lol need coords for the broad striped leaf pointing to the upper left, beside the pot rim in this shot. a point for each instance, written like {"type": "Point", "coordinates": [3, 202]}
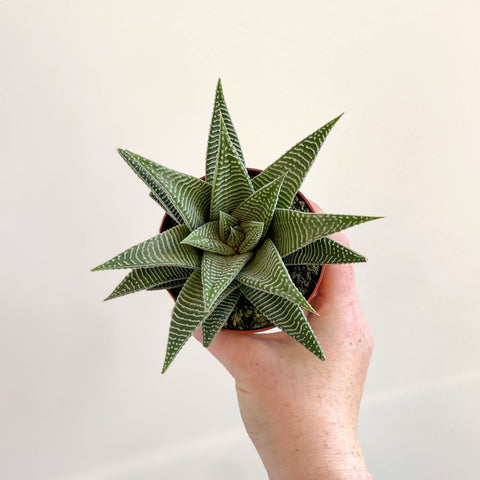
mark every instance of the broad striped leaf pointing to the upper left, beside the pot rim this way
{"type": "Point", "coordinates": [189, 195]}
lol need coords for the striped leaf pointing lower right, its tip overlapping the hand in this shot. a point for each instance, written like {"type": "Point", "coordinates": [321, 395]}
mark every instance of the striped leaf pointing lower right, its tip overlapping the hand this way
{"type": "Point", "coordinates": [285, 315]}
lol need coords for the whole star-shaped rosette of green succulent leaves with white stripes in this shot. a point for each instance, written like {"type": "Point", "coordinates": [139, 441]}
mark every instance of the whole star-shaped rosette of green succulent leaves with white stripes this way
{"type": "Point", "coordinates": [235, 235]}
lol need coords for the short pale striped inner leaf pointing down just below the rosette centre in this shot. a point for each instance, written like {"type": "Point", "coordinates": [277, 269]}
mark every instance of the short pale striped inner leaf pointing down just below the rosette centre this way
{"type": "Point", "coordinates": [218, 272]}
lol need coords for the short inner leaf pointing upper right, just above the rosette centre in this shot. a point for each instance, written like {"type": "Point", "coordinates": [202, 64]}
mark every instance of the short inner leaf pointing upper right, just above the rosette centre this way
{"type": "Point", "coordinates": [260, 206]}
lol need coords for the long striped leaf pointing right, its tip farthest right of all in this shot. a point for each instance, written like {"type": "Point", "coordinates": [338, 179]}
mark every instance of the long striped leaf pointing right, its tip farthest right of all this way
{"type": "Point", "coordinates": [291, 230]}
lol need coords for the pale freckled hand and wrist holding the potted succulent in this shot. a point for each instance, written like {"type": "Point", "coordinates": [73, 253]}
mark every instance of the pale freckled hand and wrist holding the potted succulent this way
{"type": "Point", "coordinates": [302, 413]}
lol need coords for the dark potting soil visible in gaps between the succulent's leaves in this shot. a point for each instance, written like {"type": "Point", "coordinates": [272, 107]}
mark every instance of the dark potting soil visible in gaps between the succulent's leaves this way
{"type": "Point", "coordinates": [245, 316]}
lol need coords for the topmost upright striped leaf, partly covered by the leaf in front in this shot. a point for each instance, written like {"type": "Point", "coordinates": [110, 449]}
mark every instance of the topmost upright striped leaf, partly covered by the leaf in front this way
{"type": "Point", "coordinates": [219, 109]}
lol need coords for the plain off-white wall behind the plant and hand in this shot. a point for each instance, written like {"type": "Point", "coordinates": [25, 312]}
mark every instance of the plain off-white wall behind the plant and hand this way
{"type": "Point", "coordinates": [82, 397]}
